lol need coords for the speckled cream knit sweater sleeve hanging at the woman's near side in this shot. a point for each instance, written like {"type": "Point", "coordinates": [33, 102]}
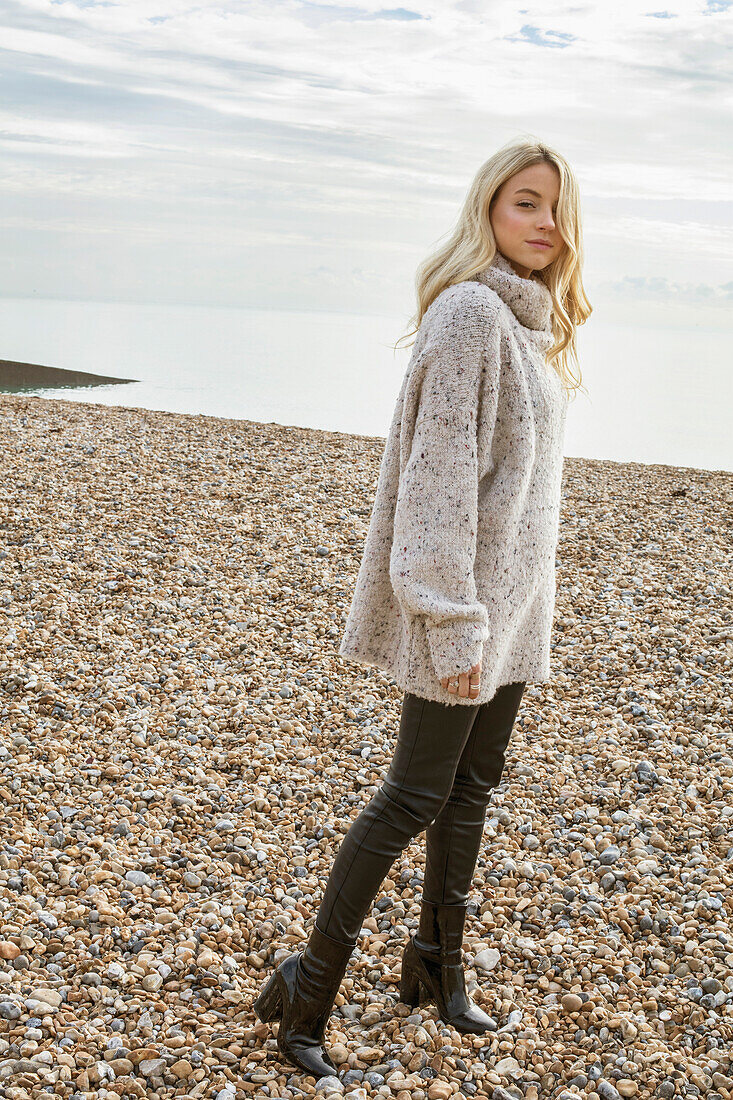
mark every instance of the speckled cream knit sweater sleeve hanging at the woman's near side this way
{"type": "Point", "coordinates": [436, 514]}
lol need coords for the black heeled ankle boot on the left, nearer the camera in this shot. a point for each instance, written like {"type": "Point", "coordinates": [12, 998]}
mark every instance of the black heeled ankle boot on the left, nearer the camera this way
{"type": "Point", "coordinates": [301, 995]}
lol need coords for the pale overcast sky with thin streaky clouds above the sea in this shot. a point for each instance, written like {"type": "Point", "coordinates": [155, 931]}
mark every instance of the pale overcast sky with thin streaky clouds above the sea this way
{"type": "Point", "coordinates": [309, 156]}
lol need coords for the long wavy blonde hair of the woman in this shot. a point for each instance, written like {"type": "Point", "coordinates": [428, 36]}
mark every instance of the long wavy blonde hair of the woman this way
{"type": "Point", "coordinates": [473, 247]}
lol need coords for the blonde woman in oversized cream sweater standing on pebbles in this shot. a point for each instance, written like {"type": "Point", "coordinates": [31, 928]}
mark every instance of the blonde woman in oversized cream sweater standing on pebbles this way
{"type": "Point", "coordinates": [456, 591]}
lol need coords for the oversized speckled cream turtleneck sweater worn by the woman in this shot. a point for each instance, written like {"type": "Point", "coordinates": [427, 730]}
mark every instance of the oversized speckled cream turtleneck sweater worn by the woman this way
{"type": "Point", "coordinates": [460, 558]}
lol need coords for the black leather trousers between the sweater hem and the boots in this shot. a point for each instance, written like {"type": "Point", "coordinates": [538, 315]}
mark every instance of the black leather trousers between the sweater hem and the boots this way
{"type": "Point", "coordinates": [447, 760]}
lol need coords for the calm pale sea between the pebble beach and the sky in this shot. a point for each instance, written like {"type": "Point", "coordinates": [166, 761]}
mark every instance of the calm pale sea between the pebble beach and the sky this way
{"type": "Point", "coordinates": [658, 392]}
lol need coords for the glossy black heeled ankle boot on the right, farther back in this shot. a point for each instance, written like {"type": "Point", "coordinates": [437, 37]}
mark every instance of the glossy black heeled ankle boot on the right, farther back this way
{"type": "Point", "coordinates": [433, 970]}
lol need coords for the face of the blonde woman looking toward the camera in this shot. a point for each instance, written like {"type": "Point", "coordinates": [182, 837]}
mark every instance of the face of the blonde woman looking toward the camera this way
{"type": "Point", "coordinates": [523, 213]}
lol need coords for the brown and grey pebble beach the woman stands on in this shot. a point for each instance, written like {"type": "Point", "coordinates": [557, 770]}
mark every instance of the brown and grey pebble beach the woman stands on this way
{"type": "Point", "coordinates": [182, 750]}
